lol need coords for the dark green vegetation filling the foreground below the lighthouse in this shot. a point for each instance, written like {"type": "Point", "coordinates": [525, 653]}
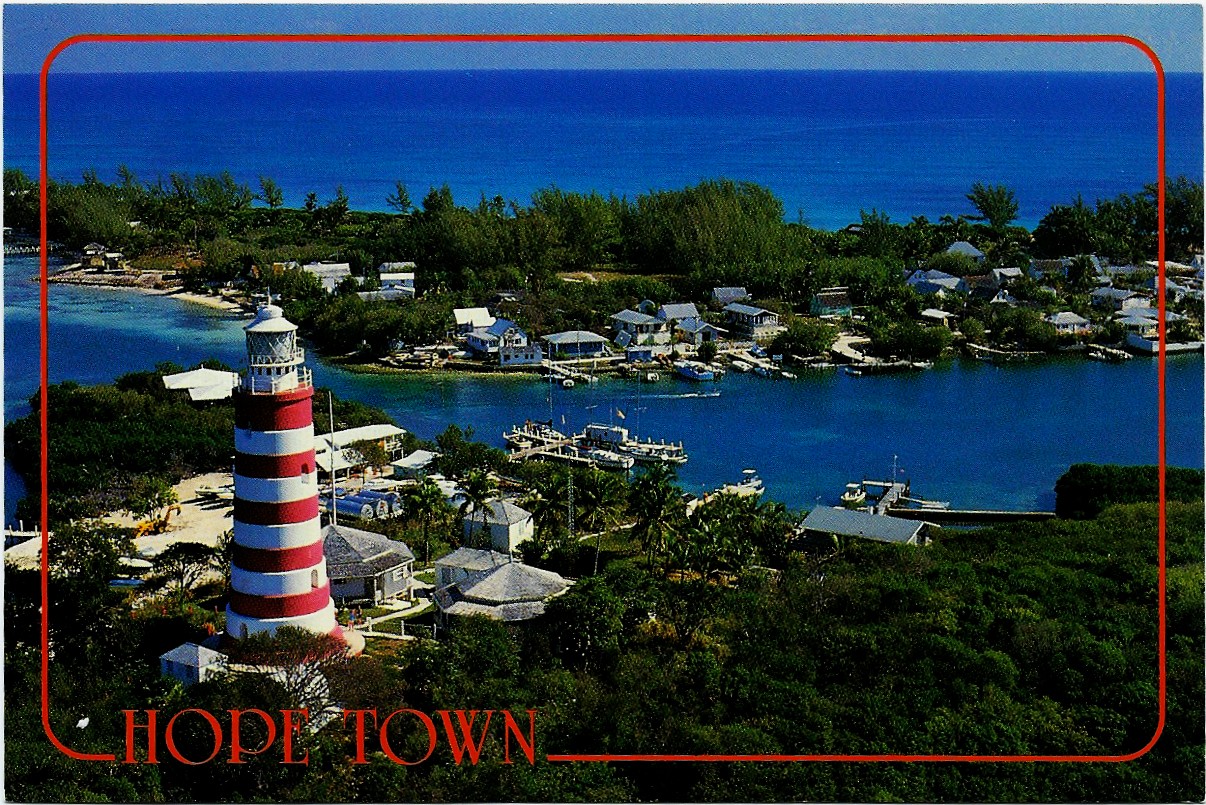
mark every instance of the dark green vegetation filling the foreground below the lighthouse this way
{"type": "Point", "coordinates": [1023, 639]}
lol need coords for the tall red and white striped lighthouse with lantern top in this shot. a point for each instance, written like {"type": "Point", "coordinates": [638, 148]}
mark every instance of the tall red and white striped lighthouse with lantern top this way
{"type": "Point", "coordinates": [278, 575]}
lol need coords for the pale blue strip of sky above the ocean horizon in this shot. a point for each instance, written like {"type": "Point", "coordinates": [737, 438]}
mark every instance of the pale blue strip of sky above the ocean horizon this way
{"type": "Point", "coordinates": [31, 31]}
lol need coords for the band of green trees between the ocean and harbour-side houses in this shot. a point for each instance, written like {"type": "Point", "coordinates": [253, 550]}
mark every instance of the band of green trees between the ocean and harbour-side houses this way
{"type": "Point", "coordinates": [665, 246]}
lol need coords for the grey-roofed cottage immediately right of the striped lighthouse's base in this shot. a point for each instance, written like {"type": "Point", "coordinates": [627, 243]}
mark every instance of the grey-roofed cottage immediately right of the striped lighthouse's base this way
{"type": "Point", "coordinates": [366, 567]}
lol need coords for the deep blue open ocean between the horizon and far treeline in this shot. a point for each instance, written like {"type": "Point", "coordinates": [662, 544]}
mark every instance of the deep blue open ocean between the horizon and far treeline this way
{"type": "Point", "coordinates": [829, 144]}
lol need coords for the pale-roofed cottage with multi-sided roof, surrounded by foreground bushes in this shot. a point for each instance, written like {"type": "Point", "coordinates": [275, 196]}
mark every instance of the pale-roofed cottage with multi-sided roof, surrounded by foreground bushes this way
{"type": "Point", "coordinates": [487, 584]}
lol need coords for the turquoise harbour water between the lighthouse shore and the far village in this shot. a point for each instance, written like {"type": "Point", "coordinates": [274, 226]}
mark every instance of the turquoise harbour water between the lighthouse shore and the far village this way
{"type": "Point", "coordinates": [967, 433]}
